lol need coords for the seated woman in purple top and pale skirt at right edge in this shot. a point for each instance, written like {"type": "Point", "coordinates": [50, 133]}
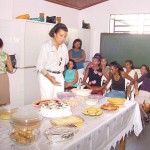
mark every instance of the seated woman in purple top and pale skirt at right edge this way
{"type": "Point", "coordinates": [143, 95]}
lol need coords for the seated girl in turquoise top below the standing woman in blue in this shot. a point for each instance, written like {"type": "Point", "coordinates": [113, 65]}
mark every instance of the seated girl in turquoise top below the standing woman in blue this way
{"type": "Point", "coordinates": [71, 76]}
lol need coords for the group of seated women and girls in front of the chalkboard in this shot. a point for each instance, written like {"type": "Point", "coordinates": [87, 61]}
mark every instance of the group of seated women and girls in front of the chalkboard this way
{"type": "Point", "coordinates": [123, 80]}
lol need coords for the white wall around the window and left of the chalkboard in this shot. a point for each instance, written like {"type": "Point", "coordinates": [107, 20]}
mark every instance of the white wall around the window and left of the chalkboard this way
{"type": "Point", "coordinates": [98, 15]}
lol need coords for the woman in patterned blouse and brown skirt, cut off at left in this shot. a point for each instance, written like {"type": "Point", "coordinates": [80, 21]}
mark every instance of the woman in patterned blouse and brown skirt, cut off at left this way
{"type": "Point", "coordinates": [5, 66]}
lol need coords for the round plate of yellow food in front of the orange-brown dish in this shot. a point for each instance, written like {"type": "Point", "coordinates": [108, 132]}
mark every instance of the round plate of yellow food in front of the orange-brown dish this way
{"type": "Point", "coordinates": [92, 111]}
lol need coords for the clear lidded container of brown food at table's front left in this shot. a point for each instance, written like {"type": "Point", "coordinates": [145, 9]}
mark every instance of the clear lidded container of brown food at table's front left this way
{"type": "Point", "coordinates": [25, 127]}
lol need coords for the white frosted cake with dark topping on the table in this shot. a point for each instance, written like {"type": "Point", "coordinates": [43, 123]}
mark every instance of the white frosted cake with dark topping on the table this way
{"type": "Point", "coordinates": [54, 109]}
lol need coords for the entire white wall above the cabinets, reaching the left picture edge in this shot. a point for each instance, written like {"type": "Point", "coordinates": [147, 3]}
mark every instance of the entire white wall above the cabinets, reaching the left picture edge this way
{"type": "Point", "coordinates": [9, 9]}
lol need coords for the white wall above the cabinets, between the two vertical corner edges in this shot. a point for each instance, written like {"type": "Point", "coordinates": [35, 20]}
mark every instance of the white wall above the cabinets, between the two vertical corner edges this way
{"type": "Point", "coordinates": [34, 7]}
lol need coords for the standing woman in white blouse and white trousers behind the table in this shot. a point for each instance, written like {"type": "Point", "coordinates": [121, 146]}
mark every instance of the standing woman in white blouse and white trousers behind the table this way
{"type": "Point", "coordinates": [51, 61]}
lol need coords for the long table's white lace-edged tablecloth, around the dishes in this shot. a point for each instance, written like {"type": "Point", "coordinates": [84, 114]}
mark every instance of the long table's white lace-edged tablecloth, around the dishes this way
{"type": "Point", "coordinates": [98, 132]}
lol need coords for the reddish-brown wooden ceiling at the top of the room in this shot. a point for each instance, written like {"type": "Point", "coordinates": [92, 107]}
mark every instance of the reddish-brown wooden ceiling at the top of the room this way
{"type": "Point", "coordinates": [77, 4]}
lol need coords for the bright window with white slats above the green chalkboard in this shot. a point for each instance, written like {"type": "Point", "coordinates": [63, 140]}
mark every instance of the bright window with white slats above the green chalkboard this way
{"type": "Point", "coordinates": [131, 23]}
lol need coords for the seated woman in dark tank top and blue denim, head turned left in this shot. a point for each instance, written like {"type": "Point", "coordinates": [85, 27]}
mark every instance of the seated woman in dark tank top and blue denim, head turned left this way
{"type": "Point", "coordinates": [118, 81]}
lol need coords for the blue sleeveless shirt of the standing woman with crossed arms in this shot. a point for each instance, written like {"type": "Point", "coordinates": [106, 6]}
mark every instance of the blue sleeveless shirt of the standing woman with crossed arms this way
{"type": "Point", "coordinates": [78, 54]}
